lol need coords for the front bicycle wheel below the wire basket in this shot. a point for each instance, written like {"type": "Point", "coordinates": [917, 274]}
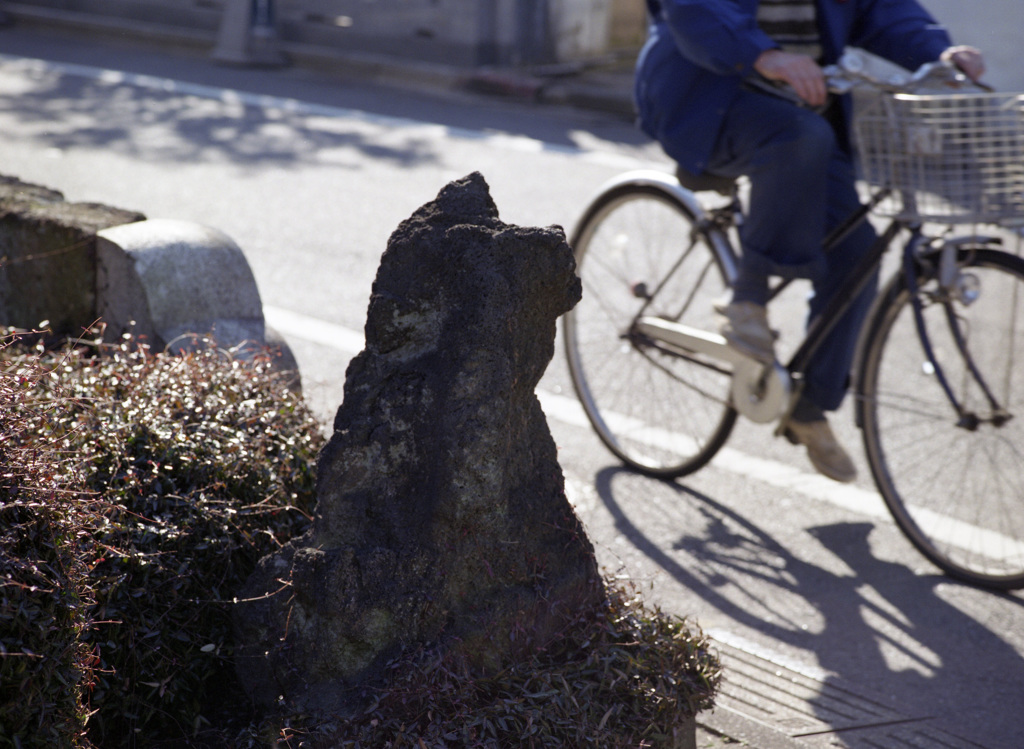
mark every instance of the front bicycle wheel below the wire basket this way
{"type": "Point", "coordinates": [956, 490]}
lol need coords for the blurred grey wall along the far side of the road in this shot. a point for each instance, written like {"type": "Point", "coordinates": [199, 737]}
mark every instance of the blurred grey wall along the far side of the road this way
{"type": "Point", "coordinates": [481, 33]}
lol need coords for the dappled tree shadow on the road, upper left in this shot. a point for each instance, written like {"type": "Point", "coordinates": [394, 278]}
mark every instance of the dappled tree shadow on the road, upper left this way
{"type": "Point", "coordinates": [148, 120]}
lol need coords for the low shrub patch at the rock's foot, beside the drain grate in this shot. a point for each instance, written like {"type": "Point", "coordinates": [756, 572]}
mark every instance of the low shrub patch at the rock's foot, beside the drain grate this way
{"type": "Point", "coordinates": [623, 677]}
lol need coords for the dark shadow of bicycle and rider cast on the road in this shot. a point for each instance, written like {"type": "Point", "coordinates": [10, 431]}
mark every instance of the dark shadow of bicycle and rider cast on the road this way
{"type": "Point", "coordinates": [868, 621]}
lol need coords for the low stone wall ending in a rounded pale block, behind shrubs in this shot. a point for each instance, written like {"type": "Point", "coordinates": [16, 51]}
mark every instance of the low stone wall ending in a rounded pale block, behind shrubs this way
{"type": "Point", "coordinates": [170, 283]}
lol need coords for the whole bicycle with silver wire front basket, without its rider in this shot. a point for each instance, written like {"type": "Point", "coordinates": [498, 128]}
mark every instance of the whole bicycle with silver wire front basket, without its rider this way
{"type": "Point", "coordinates": [936, 395]}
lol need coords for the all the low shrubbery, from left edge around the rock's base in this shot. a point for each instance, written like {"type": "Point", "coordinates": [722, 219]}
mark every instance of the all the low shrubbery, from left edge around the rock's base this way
{"type": "Point", "coordinates": [138, 493]}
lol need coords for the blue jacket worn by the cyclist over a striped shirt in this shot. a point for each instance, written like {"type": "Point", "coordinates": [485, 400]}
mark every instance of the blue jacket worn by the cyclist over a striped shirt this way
{"type": "Point", "coordinates": [699, 52]}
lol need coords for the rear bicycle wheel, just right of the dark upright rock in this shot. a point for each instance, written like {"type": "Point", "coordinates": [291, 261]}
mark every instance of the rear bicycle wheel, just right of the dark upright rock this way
{"type": "Point", "coordinates": [638, 254]}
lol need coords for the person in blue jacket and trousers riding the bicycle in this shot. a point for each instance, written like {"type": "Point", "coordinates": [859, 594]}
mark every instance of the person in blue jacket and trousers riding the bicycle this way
{"type": "Point", "coordinates": [695, 98]}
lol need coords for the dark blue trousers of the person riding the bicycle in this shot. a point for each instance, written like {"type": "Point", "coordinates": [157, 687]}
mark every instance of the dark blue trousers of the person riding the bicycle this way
{"type": "Point", "coordinates": [802, 185]}
